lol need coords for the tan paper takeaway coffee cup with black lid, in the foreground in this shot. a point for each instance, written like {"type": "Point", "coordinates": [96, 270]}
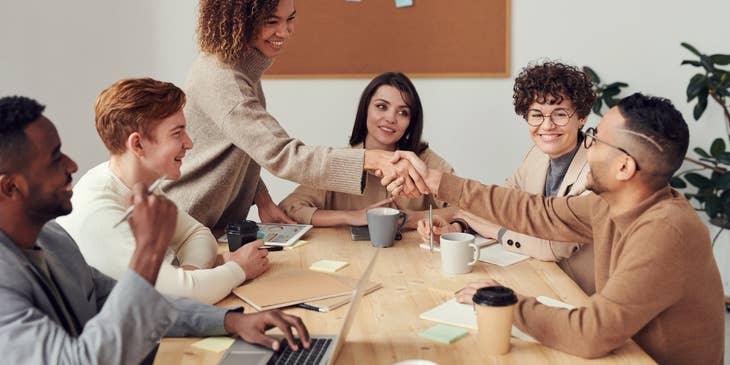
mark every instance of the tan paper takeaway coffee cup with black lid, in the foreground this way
{"type": "Point", "coordinates": [494, 305]}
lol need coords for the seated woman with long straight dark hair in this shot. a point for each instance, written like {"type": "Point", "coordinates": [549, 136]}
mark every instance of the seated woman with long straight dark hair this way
{"type": "Point", "coordinates": [389, 117]}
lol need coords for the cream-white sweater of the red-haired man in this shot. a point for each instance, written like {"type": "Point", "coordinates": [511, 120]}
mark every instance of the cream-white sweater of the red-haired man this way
{"type": "Point", "coordinates": [100, 200]}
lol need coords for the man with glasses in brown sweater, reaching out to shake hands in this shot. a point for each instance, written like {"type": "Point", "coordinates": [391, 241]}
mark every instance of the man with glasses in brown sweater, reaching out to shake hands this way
{"type": "Point", "coordinates": [656, 278]}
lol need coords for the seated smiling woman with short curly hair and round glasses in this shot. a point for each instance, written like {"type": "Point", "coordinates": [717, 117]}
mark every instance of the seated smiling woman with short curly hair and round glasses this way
{"type": "Point", "coordinates": [554, 100]}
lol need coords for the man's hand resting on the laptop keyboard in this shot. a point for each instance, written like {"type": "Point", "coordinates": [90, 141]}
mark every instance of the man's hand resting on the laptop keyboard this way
{"type": "Point", "coordinates": [252, 328]}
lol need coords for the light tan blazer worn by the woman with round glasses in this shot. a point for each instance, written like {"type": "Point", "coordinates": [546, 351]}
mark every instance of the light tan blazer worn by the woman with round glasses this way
{"type": "Point", "coordinates": [574, 258]}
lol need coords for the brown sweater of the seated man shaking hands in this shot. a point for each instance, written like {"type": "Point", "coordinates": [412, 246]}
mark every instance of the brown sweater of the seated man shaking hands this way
{"type": "Point", "coordinates": [656, 278]}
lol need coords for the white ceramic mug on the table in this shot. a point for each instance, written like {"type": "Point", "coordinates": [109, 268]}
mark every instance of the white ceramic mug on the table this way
{"type": "Point", "coordinates": [458, 253]}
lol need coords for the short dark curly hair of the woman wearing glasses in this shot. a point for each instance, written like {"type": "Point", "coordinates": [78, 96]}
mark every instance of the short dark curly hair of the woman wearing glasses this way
{"type": "Point", "coordinates": [550, 82]}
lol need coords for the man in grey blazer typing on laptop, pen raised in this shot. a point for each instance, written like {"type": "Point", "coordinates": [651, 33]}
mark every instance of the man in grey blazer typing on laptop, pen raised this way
{"type": "Point", "coordinates": [54, 308]}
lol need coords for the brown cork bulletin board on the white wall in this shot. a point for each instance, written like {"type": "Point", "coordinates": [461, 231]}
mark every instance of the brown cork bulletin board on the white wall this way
{"type": "Point", "coordinates": [432, 38]}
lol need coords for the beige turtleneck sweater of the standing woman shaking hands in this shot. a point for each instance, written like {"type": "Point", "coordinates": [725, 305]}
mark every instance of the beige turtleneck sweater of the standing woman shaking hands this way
{"type": "Point", "coordinates": [234, 136]}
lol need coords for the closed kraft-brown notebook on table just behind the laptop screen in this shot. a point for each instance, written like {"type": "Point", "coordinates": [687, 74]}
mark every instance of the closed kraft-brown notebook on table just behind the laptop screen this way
{"type": "Point", "coordinates": [292, 287]}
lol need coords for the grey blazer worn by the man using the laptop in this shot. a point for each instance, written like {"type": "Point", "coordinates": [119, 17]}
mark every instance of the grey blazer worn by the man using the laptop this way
{"type": "Point", "coordinates": [120, 321]}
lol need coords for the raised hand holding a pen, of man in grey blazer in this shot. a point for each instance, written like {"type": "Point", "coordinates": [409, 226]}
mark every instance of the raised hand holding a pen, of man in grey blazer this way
{"type": "Point", "coordinates": [153, 224]}
